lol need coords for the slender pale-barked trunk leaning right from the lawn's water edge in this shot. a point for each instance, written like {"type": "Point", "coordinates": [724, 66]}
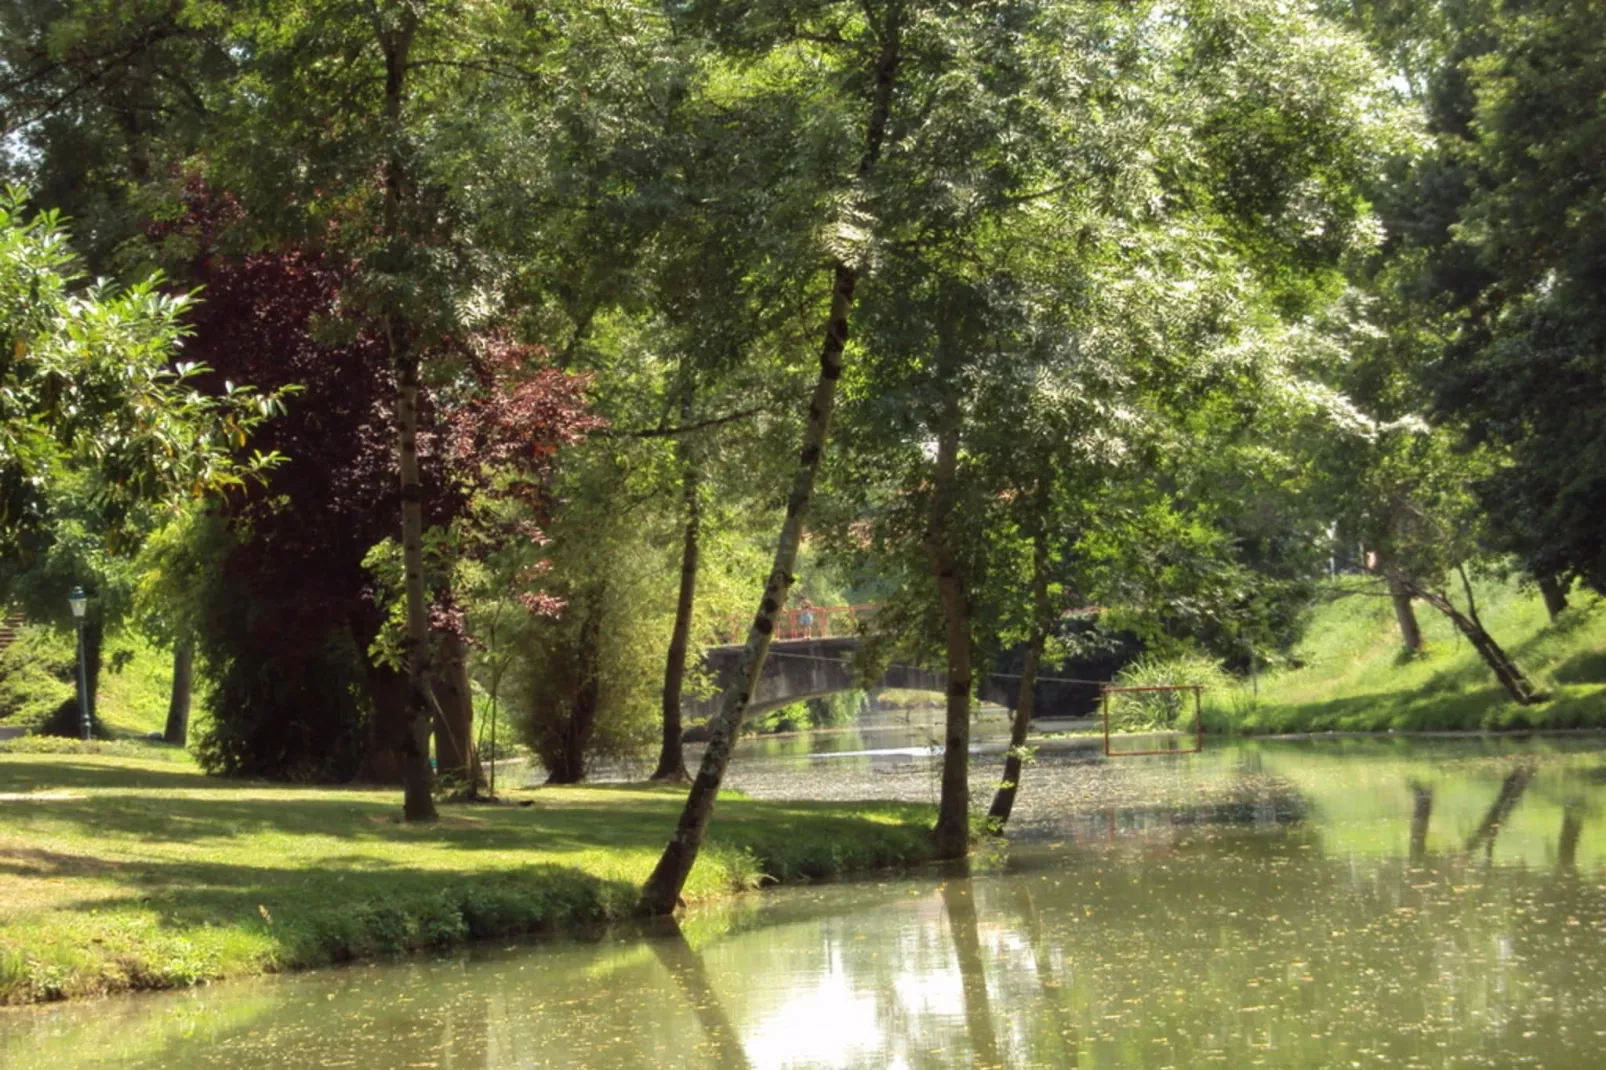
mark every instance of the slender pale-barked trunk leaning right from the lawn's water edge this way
{"type": "Point", "coordinates": [664, 888]}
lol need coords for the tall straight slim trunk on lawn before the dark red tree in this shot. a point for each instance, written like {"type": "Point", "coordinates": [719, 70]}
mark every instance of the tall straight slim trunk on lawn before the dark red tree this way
{"type": "Point", "coordinates": [418, 802]}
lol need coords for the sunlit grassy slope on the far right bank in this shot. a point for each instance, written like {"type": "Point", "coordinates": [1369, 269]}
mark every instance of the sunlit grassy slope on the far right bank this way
{"type": "Point", "coordinates": [1356, 680]}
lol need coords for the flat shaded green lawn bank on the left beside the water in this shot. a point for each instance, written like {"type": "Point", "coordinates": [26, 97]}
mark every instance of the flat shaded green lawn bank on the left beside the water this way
{"type": "Point", "coordinates": [124, 872]}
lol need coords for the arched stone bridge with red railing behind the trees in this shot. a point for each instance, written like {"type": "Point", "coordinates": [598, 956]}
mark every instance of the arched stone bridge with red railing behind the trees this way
{"type": "Point", "coordinates": [815, 668]}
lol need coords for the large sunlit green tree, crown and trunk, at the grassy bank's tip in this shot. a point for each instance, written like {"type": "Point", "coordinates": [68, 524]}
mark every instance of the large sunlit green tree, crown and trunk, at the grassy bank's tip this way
{"type": "Point", "coordinates": [1083, 285]}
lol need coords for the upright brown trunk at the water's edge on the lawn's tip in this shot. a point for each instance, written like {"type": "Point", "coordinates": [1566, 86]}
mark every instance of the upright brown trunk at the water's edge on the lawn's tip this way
{"type": "Point", "coordinates": [953, 814]}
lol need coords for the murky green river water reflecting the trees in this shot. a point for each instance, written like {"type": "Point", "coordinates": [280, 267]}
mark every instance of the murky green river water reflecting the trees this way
{"type": "Point", "coordinates": [1339, 904]}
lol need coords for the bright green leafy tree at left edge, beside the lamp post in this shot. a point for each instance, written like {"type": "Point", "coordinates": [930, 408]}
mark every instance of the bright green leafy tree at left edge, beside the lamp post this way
{"type": "Point", "coordinates": [102, 428]}
